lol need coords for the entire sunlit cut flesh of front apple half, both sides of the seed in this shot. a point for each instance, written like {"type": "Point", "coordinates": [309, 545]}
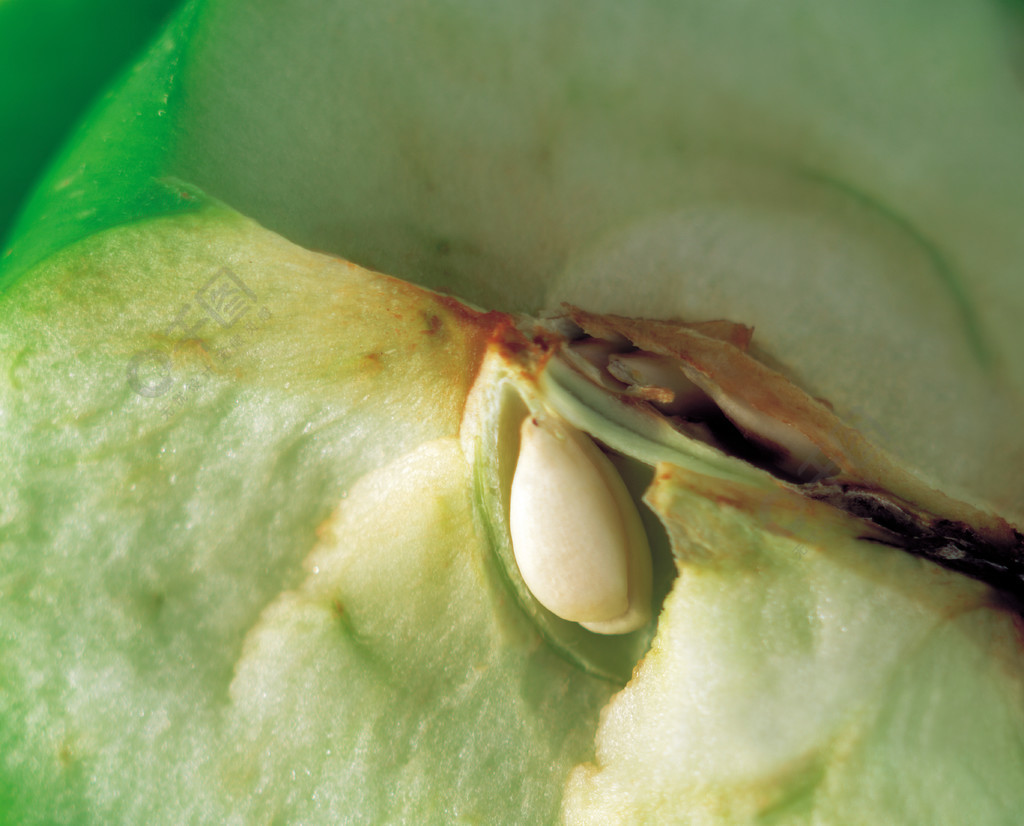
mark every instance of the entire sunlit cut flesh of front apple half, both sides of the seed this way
{"type": "Point", "coordinates": [269, 580]}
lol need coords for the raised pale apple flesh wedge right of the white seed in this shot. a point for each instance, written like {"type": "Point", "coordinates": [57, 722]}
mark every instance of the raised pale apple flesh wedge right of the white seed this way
{"type": "Point", "coordinates": [807, 678]}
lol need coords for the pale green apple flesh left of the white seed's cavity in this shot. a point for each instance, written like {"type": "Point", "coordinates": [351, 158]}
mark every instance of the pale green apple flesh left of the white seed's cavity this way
{"type": "Point", "coordinates": [276, 577]}
